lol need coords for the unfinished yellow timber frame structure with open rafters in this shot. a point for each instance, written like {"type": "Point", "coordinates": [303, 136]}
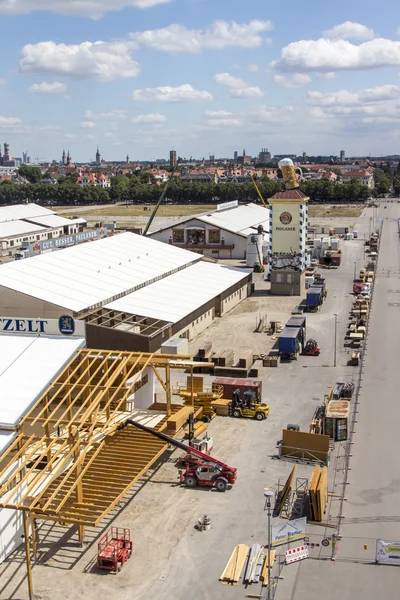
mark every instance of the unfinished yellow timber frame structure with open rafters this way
{"type": "Point", "coordinates": [69, 463]}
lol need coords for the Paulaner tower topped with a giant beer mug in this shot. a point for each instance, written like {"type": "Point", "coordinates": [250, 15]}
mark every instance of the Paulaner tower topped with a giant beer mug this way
{"type": "Point", "coordinates": [288, 256]}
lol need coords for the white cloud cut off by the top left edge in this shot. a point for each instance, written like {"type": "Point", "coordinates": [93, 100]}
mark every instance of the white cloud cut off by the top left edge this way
{"type": "Point", "coordinates": [89, 8]}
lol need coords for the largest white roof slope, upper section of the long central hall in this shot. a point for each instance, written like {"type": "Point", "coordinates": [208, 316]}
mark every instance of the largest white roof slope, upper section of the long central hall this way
{"type": "Point", "coordinates": [88, 275]}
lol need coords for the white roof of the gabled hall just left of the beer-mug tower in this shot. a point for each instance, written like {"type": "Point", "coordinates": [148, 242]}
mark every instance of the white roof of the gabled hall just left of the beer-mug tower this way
{"type": "Point", "coordinates": [239, 219]}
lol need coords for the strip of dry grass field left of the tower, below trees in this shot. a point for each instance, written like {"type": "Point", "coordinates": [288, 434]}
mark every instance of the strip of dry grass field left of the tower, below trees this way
{"type": "Point", "coordinates": [140, 210]}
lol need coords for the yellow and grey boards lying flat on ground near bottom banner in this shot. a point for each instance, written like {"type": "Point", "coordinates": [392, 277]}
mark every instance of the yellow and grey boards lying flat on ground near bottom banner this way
{"type": "Point", "coordinates": [256, 565]}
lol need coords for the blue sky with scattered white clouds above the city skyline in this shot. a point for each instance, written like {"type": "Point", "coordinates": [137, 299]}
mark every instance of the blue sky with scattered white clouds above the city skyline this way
{"type": "Point", "coordinates": [200, 76]}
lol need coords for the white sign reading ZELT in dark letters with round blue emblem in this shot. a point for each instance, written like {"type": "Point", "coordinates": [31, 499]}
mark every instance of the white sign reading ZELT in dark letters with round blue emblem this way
{"type": "Point", "coordinates": [66, 325]}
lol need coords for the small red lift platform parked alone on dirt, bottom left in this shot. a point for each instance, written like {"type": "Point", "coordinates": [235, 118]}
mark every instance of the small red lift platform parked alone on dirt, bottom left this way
{"type": "Point", "coordinates": [114, 548]}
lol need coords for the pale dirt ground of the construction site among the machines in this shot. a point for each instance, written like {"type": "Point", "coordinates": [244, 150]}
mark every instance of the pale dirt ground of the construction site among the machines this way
{"type": "Point", "coordinates": [171, 559]}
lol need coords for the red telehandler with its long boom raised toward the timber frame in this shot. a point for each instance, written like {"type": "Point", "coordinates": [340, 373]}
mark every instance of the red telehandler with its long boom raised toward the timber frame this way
{"type": "Point", "coordinates": [209, 472]}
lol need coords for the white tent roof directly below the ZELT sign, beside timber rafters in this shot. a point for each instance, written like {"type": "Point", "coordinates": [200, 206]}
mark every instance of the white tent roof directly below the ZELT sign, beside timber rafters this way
{"type": "Point", "coordinates": [27, 365]}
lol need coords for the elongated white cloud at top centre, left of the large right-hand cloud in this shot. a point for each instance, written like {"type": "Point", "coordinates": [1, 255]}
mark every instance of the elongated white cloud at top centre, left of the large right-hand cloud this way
{"type": "Point", "coordinates": [220, 35]}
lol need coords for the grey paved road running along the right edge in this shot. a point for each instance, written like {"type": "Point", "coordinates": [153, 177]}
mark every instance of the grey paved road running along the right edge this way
{"type": "Point", "coordinates": [372, 509]}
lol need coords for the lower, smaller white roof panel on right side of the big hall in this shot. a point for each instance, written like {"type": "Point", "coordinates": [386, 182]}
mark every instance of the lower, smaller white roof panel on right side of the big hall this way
{"type": "Point", "coordinates": [174, 297]}
